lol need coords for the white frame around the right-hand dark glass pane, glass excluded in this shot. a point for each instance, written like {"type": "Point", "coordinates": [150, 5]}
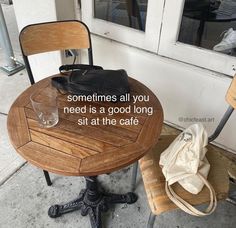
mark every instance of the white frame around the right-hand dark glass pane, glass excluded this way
{"type": "Point", "coordinates": [170, 46]}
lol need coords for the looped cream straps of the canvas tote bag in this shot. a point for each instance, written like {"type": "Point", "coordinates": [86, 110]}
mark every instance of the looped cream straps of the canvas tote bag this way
{"type": "Point", "coordinates": [188, 208]}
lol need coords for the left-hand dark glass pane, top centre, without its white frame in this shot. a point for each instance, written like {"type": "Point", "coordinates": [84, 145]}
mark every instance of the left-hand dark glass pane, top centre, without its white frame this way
{"type": "Point", "coordinates": [131, 13]}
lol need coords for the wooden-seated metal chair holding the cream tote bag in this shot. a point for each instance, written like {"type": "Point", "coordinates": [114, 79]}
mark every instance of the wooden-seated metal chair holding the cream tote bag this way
{"type": "Point", "coordinates": [221, 167]}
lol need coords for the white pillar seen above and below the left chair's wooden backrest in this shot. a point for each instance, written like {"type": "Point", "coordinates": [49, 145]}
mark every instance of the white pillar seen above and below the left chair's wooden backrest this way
{"type": "Point", "coordinates": [37, 11]}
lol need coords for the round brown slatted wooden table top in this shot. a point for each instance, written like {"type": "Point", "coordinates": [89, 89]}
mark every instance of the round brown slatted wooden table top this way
{"type": "Point", "coordinates": [74, 150]}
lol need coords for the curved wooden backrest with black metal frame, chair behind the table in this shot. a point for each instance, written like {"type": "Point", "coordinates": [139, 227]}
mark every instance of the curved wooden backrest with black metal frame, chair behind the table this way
{"type": "Point", "coordinates": [54, 36]}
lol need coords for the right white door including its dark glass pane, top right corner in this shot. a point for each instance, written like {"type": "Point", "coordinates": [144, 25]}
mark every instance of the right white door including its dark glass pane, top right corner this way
{"type": "Point", "coordinates": [192, 29]}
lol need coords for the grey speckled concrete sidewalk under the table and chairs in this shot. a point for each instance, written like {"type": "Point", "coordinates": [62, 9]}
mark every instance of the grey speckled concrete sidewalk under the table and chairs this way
{"type": "Point", "coordinates": [25, 197]}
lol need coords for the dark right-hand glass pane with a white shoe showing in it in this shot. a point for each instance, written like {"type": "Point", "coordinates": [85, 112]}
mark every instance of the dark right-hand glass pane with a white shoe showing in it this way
{"type": "Point", "coordinates": [210, 24]}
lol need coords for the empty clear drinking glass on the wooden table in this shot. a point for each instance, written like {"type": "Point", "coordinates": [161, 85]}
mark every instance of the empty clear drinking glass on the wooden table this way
{"type": "Point", "coordinates": [45, 106]}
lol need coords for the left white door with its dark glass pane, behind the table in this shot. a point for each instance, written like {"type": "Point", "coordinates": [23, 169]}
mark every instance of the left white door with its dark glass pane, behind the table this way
{"type": "Point", "coordinates": [133, 22]}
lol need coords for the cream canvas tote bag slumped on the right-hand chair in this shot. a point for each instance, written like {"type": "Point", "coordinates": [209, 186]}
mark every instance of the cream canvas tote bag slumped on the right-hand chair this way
{"type": "Point", "coordinates": [184, 162]}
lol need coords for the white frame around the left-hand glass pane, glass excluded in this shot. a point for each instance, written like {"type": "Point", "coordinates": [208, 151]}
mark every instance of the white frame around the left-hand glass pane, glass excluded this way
{"type": "Point", "coordinates": [148, 40]}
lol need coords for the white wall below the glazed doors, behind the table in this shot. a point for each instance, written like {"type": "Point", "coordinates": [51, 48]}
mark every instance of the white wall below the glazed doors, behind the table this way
{"type": "Point", "coordinates": [184, 90]}
